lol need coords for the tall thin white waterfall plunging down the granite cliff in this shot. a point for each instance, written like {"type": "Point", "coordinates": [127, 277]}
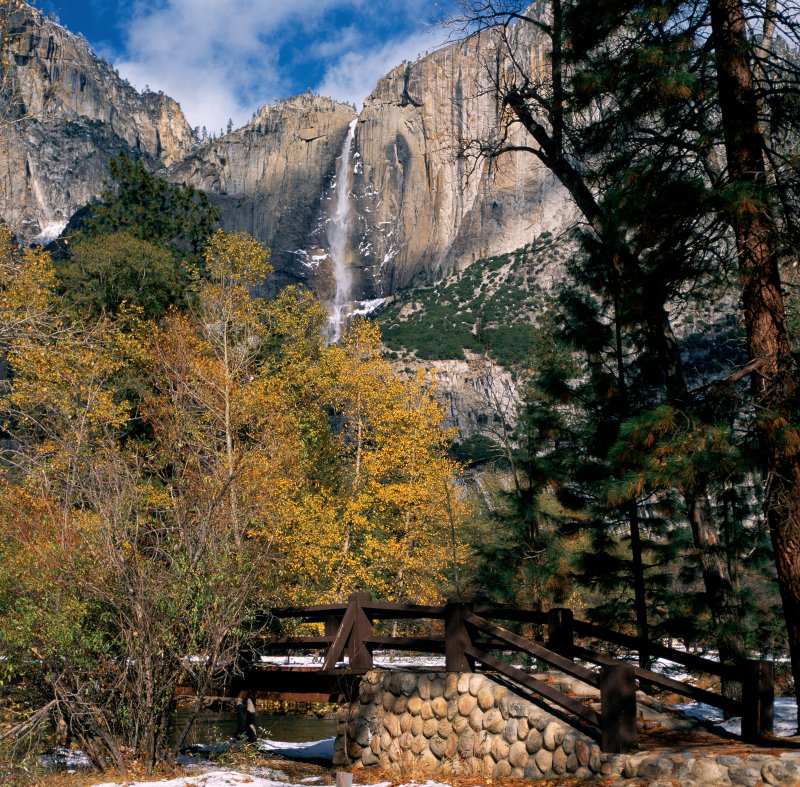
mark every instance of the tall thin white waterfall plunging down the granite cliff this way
{"type": "Point", "coordinates": [337, 241]}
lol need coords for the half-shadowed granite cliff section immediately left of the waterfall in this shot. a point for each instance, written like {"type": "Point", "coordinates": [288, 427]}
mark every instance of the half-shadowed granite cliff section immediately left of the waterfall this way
{"type": "Point", "coordinates": [272, 179]}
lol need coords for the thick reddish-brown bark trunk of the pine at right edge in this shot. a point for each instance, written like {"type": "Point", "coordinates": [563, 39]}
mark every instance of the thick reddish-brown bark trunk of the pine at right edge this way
{"type": "Point", "coordinates": [774, 386]}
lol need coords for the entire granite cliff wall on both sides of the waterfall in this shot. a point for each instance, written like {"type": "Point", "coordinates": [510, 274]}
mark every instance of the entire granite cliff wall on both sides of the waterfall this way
{"type": "Point", "coordinates": [417, 208]}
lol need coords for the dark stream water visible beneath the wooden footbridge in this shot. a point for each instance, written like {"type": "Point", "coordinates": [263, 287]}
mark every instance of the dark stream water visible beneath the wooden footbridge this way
{"type": "Point", "coordinates": [212, 726]}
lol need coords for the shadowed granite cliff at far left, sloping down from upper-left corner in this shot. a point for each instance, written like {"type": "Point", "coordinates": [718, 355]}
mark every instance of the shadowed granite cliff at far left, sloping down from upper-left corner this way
{"type": "Point", "coordinates": [65, 112]}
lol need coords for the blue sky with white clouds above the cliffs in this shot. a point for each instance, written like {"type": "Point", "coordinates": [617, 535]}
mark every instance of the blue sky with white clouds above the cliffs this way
{"type": "Point", "coordinates": [226, 58]}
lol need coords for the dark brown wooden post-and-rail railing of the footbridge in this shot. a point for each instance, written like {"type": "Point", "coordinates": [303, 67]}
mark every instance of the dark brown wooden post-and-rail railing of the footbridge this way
{"type": "Point", "coordinates": [469, 636]}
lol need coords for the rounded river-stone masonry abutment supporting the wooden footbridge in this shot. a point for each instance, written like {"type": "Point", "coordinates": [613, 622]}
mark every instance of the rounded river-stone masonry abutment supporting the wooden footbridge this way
{"type": "Point", "coordinates": [457, 723]}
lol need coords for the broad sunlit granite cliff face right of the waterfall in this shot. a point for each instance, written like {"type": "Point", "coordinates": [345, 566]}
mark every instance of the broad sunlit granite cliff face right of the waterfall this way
{"type": "Point", "coordinates": [425, 209]}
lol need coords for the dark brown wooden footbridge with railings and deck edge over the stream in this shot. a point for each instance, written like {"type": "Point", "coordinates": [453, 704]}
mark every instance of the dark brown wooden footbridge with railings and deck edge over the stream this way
{"type": "Point", "coordinates": [471, 634]}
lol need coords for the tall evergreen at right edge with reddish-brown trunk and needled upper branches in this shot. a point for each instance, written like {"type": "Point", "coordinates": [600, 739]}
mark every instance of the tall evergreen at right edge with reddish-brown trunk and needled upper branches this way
{"type": "Point", "coordinates": [689, 76]}
